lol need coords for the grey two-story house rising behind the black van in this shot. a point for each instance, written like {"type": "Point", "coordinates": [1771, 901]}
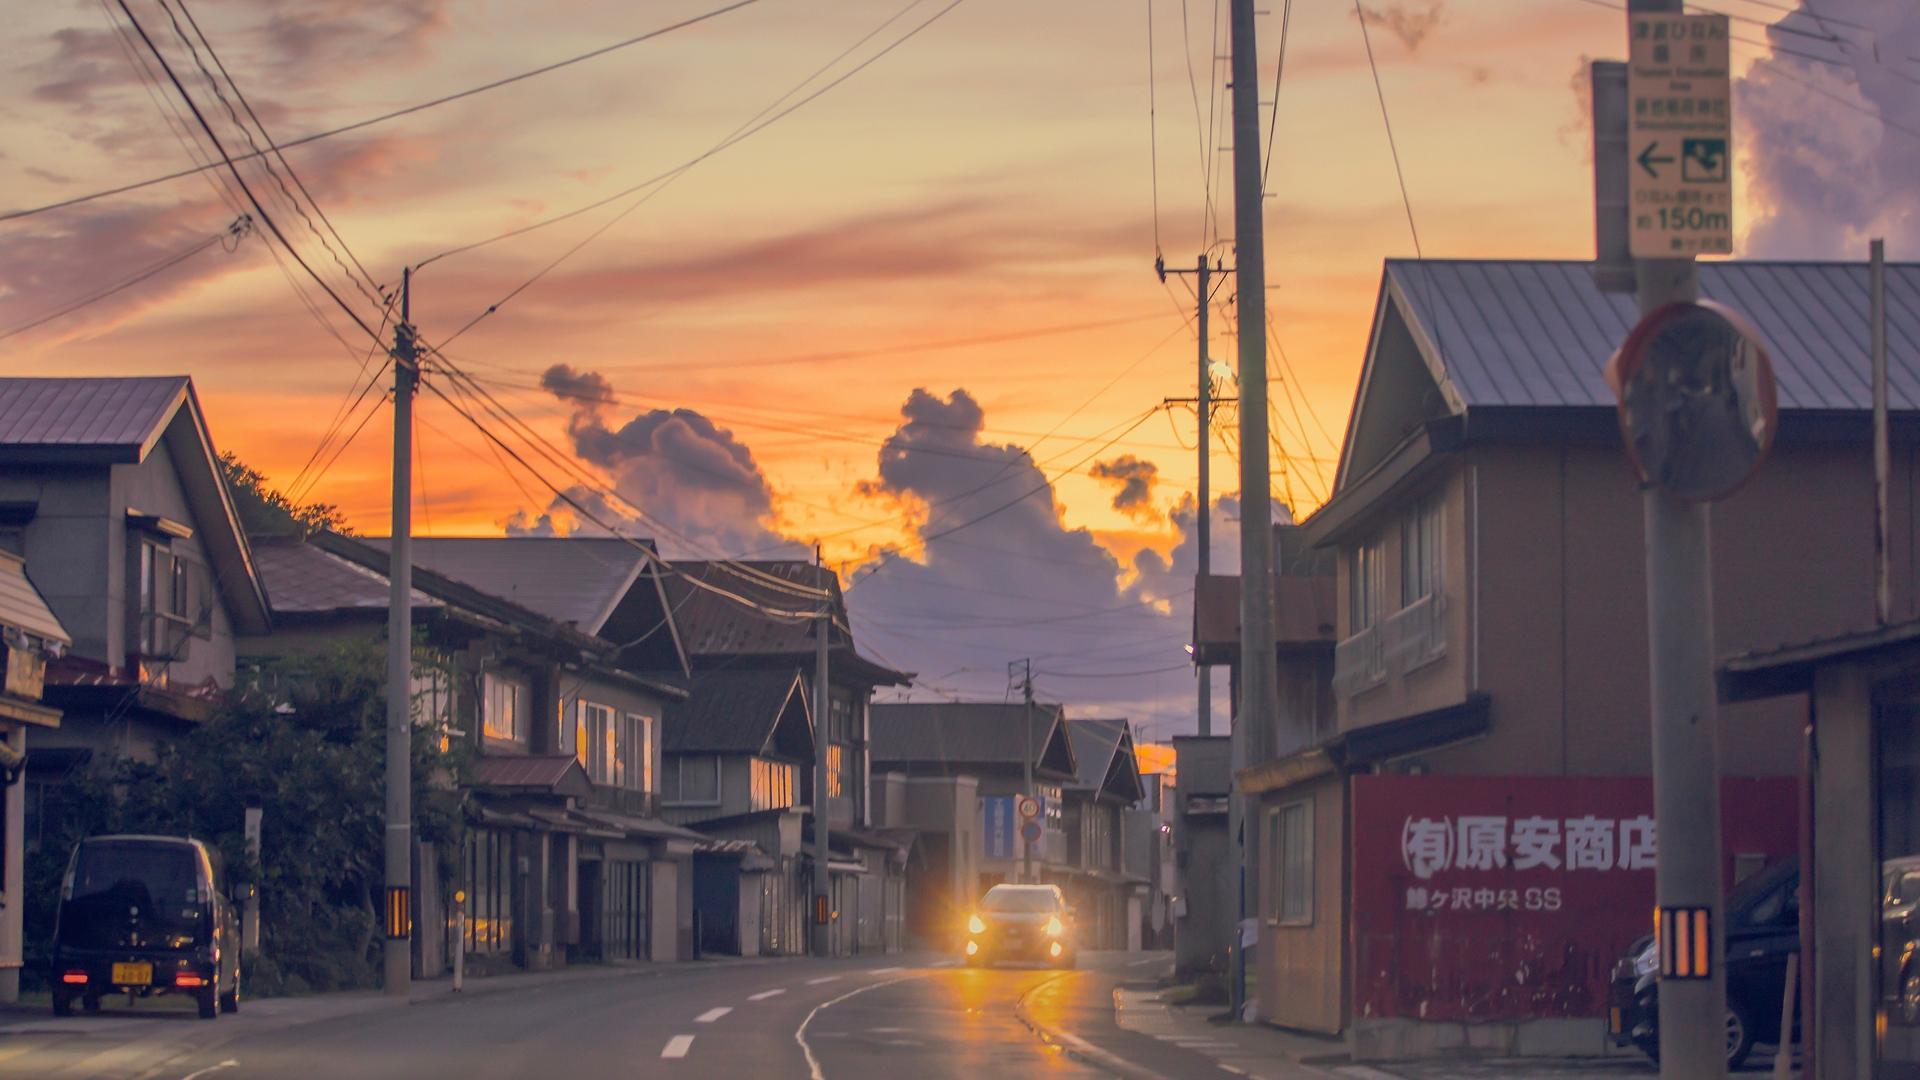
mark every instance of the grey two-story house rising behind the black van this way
{"type": "Point", "coordinates": [112, 493]}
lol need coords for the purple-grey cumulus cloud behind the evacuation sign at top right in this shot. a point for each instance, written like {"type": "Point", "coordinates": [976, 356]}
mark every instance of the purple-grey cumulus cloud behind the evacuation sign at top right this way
{"type": "Point", "coordinates": [1823, 164]}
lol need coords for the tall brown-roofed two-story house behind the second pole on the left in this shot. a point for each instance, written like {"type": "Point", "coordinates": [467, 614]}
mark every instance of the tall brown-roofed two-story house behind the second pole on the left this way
{"type": "Point", "coordinates": [738, 629]}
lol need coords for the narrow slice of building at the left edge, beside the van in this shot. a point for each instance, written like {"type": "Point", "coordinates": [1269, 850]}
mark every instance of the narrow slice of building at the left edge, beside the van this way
{"type": "Point", "coordinates": [30, 639]}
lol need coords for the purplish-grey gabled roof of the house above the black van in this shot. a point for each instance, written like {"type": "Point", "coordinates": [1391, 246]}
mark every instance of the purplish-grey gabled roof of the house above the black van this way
{"type": "Point", "coordinates": [120, 422]}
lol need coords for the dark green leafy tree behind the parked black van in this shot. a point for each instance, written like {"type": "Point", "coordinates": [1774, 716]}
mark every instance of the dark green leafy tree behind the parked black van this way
{"type": "Point", "coordinates": [304, 739]}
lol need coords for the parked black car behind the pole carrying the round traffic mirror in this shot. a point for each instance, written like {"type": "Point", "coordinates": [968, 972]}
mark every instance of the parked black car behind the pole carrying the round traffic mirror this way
{"type": "Point", "coordinates": [1762, 933]}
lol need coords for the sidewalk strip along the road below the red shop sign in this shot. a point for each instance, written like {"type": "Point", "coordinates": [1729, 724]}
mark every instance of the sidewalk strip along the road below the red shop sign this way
{"type": "Point", "coordinates": [1272, 1054]}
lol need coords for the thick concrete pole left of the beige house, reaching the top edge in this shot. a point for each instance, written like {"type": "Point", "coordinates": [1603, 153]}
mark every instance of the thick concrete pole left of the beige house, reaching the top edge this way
{"type": "Point", "coordinates": [1259, 668]}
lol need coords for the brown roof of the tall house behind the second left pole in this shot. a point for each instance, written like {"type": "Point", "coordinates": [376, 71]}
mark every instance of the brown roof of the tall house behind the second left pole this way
{"type": "Point", "coordinates": [713, 626]}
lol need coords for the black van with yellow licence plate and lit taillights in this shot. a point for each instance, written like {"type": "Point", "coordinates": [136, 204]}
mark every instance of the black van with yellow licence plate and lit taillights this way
{"type": "Point", "coordinates": [145, 916]}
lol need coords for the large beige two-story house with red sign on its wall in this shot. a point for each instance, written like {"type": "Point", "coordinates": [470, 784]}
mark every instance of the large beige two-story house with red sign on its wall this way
{"type": "Point", "coordinates": [1472, 847]}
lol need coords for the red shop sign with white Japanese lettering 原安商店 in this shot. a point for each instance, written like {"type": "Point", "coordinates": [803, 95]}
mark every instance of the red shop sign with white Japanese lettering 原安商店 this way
{"type": "Point", "coordinates": [1510, 898]}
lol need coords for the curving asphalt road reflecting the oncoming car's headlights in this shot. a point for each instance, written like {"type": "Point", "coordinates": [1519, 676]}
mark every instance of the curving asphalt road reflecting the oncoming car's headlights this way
{"type": "Point", "coordinates": [861, 1019]}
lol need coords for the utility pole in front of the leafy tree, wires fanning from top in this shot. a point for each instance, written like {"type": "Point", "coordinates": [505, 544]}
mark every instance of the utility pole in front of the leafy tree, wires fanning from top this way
{"type": "Point", "coordinates": [398, 952]}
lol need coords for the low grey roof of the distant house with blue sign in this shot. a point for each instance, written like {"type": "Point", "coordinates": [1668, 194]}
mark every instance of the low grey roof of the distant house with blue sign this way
{"type": "Point", "coordinates": [972, 735]}
